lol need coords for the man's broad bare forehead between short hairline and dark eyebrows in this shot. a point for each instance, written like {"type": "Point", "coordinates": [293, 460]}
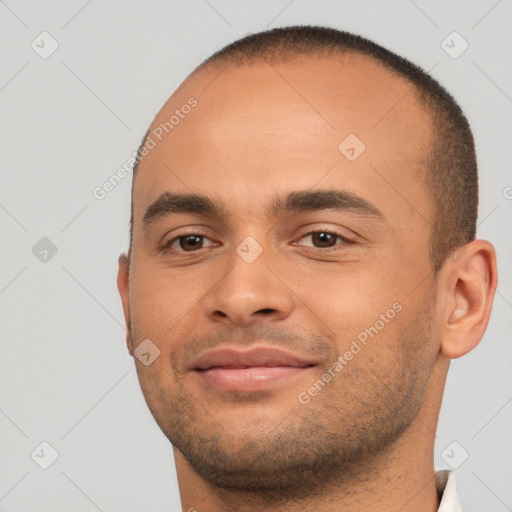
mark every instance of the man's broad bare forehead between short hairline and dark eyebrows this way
{"type": "Point", "coordinates": [275, 127]}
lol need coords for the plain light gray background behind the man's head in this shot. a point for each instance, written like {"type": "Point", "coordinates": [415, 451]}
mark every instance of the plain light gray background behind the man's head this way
{"type": "Point", "coordinates": [70, 120]}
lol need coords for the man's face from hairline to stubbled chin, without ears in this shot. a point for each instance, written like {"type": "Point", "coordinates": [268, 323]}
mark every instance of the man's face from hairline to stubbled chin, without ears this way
{"type": "Point", "coordinates": [293, 304]}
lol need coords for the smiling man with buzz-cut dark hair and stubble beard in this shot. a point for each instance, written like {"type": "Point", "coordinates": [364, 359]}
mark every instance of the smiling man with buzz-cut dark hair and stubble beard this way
{"type": "Point", "coordinates": [302, 268]}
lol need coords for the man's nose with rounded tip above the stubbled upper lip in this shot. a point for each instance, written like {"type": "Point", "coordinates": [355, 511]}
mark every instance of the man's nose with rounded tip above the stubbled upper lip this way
{"type": "Point", "coordinates": [249, 293]}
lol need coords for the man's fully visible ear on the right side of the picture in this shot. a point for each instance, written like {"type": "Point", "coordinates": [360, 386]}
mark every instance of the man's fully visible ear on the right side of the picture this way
{"type": "Point", "coordinates": [469, 283]}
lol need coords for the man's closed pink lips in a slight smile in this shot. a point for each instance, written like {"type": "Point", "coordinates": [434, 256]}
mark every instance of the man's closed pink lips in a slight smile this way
{"type": "Point", "coordinates": [255, 369]}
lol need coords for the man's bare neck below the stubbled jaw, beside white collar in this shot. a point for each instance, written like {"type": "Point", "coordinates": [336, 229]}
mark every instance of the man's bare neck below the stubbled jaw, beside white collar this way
{"type": "Point", "coordinates": [402, 477]}
